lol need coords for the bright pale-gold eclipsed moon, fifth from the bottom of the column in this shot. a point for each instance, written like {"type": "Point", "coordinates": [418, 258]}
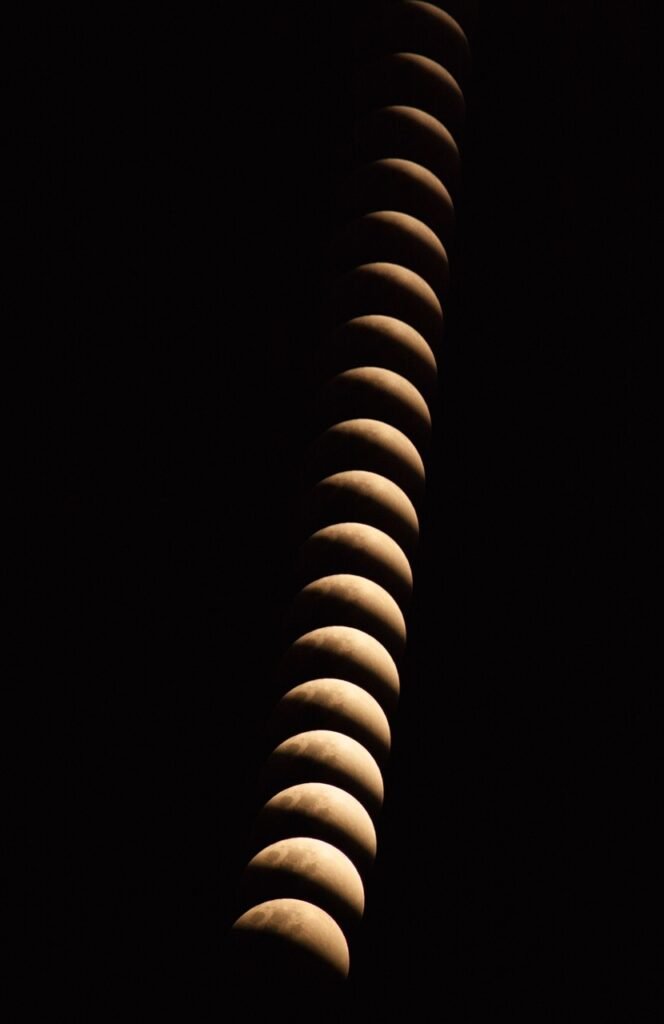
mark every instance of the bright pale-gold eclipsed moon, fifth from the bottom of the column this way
{"type": "Point", "coordinates": [337, 705]}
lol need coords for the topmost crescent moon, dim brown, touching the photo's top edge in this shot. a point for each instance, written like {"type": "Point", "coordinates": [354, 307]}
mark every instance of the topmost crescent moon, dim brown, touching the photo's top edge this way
{"type": "Point", "coordinates": [423, 28]}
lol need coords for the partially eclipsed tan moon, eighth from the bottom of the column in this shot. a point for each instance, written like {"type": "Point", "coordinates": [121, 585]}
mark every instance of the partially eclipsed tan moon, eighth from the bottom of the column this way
{"type": "Point", "coordinates": [354, 547]}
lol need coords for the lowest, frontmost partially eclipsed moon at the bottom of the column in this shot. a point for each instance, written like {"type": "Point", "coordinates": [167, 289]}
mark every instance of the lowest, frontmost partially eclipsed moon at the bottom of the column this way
{"type": "Point", "coordinates": [289, 943]}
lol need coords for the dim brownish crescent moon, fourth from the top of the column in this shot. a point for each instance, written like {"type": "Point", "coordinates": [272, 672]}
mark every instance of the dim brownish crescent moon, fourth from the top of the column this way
{"type": "Point", "coordinates": [403, 186]}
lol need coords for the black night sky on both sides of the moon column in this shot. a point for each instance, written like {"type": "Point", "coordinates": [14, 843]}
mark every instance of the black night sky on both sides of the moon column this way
{"type": "Point", "coordinates": [188, 192]}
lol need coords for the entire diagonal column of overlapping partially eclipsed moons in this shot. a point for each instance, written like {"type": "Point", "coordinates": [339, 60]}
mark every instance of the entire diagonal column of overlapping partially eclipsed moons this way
{"type": "Point", "coordinates": [303, 893]}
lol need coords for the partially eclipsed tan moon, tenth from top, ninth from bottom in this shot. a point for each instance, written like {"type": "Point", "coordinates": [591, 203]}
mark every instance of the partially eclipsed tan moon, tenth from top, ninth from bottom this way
{"type": "Point", "coordinates": [358, 496]}
